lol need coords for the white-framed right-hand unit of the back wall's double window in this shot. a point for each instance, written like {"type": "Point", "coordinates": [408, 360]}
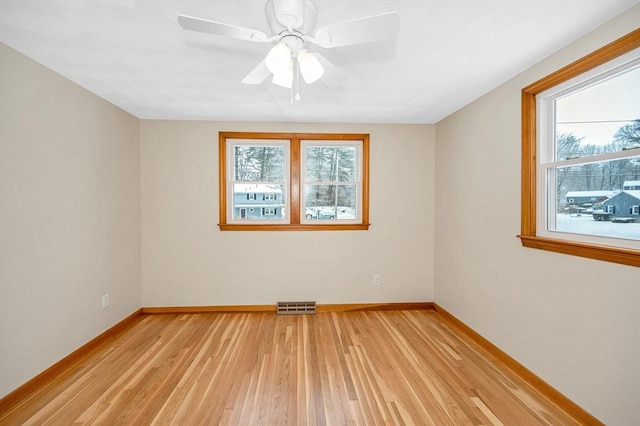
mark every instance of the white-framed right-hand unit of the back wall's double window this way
{"type": "Point", "coordinates": [331, 181]}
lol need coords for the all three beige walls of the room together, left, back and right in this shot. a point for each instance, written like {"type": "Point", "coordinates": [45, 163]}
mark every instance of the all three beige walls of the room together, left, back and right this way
{"type": "Point", "coordinates": [73, 222]}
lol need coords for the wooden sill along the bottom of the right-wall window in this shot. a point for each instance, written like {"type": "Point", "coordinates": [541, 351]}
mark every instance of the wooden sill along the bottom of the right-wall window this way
{"type": "Point", "coordinates": [592, 251]}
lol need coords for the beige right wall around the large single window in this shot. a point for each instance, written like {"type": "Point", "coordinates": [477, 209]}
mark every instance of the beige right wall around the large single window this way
{"type": "Point", "coordinates": [573, 321]}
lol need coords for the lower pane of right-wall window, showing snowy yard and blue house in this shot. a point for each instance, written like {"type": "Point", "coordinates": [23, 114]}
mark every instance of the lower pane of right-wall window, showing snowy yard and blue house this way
{"type": "Point", "coordinates": [599, 198]}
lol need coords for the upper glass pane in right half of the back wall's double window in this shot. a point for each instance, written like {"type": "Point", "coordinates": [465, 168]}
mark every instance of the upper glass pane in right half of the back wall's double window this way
{"type": "Point", "coordinates": [330, 164]}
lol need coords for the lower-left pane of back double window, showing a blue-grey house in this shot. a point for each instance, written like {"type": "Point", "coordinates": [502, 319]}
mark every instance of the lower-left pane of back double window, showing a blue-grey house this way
{"type": "Point", "coordinates": [258, 202]}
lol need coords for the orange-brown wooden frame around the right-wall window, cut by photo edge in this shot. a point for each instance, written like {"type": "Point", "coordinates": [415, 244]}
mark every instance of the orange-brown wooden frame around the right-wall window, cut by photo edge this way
{"type": "Point", "coordinates": [528, 235]}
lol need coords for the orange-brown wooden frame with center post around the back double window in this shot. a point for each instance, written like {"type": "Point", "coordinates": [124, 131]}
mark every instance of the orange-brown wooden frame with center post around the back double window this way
{"type": "Point", "coordinates": [295, 185]}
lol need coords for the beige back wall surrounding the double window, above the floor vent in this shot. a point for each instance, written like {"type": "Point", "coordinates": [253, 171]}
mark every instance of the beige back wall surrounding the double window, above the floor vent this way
{"type": "Point", "coordinates": [187, 260]}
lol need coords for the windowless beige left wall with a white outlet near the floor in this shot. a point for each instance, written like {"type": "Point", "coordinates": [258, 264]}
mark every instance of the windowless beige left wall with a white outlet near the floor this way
{"type": "Point", "coordinates": [69, 217]}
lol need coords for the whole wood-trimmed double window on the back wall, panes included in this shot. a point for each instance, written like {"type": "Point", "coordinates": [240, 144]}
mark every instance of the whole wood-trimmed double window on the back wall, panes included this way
{"type": "Point", "coordinates": [293, 181]}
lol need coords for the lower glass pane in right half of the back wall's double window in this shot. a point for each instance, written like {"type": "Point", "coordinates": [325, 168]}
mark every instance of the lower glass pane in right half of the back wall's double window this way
{"type": "Point", "coordinates": [330, 201]}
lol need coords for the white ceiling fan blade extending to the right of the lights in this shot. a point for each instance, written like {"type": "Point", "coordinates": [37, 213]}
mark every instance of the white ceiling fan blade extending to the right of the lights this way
{"type": "Point", "coordinates": [364, 30]}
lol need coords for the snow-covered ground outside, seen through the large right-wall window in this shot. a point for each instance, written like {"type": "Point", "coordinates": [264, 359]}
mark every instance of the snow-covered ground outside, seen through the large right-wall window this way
{"type": "Point", "coordinates": [585, 224]}
